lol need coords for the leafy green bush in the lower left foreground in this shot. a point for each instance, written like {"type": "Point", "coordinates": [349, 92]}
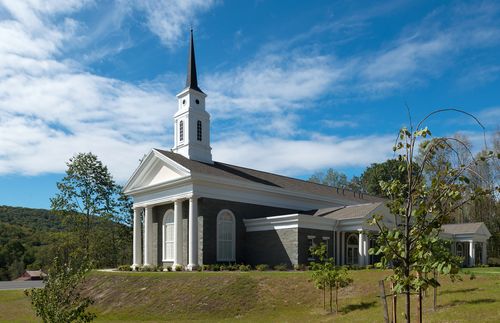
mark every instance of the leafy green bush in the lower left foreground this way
{"type": "Point", "coordinates": [60, 299]}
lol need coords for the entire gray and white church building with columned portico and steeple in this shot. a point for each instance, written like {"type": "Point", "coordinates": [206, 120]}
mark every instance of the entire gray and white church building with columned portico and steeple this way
{"type": "Point", "coordinates": [191, 210]}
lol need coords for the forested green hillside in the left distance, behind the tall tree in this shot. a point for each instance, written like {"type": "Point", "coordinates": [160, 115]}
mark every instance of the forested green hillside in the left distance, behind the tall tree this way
{"type": "Point", "coordinates": [31, 238]}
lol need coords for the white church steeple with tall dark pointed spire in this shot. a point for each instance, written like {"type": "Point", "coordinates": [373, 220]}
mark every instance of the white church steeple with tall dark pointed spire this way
{"type": "Point", "coordinates": [192, 121]}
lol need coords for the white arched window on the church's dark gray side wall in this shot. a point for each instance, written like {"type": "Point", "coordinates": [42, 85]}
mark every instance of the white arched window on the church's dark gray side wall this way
{"type": "Point", "coordinates": [226, 239]}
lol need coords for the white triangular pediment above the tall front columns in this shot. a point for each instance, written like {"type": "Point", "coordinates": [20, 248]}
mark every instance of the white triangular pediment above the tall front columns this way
{"type": "Point", "coordinates": [154, 170]}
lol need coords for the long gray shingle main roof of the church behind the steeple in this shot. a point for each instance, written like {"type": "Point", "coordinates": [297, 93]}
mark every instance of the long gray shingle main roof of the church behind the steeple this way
{"type": "Point", "coordinates": [255, 176]}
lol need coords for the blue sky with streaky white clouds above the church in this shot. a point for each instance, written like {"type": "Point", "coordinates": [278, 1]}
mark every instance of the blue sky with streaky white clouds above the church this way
{"type": "Point", "coordinates": [291, 89]}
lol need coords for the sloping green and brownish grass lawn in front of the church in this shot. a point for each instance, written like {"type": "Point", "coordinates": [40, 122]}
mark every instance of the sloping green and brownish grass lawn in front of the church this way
{"type": "Point", "coordinates": [262, 296]}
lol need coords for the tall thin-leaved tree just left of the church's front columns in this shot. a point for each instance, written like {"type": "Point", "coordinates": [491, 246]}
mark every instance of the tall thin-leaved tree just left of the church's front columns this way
{"type": "Point", "coordinates": [91, 204]}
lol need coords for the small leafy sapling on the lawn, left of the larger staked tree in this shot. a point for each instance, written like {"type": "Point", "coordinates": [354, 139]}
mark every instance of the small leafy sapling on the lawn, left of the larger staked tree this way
{"type": "Point", "coordinates": [326, 275]}
